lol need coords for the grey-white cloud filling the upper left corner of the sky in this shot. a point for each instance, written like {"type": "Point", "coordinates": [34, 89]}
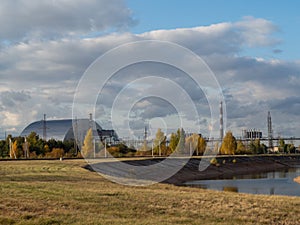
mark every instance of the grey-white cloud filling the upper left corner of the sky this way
{"type": "Point", "coordinates": [42, 19]}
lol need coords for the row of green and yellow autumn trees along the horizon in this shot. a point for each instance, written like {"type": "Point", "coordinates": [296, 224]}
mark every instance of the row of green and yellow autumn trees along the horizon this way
{"type": "Point", "coordinates": [33, 146]}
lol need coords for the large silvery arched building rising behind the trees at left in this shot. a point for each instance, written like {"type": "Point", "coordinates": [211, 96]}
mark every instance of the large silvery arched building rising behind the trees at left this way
{"type": "Point", "coordinates": [64, 130]}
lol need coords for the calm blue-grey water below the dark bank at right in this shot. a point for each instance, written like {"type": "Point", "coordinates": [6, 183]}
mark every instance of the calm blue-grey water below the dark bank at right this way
{"type": "Point", "coordinates": [271, 183]}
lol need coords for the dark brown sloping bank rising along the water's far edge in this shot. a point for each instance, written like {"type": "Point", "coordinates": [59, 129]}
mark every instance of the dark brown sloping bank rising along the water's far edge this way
{"type": "Point", "coordinates": [244, 165]}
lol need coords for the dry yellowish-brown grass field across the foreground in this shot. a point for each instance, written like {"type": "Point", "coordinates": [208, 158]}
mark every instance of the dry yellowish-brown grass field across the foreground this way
{"type": "Point", "coordinates": [62, 192]}
